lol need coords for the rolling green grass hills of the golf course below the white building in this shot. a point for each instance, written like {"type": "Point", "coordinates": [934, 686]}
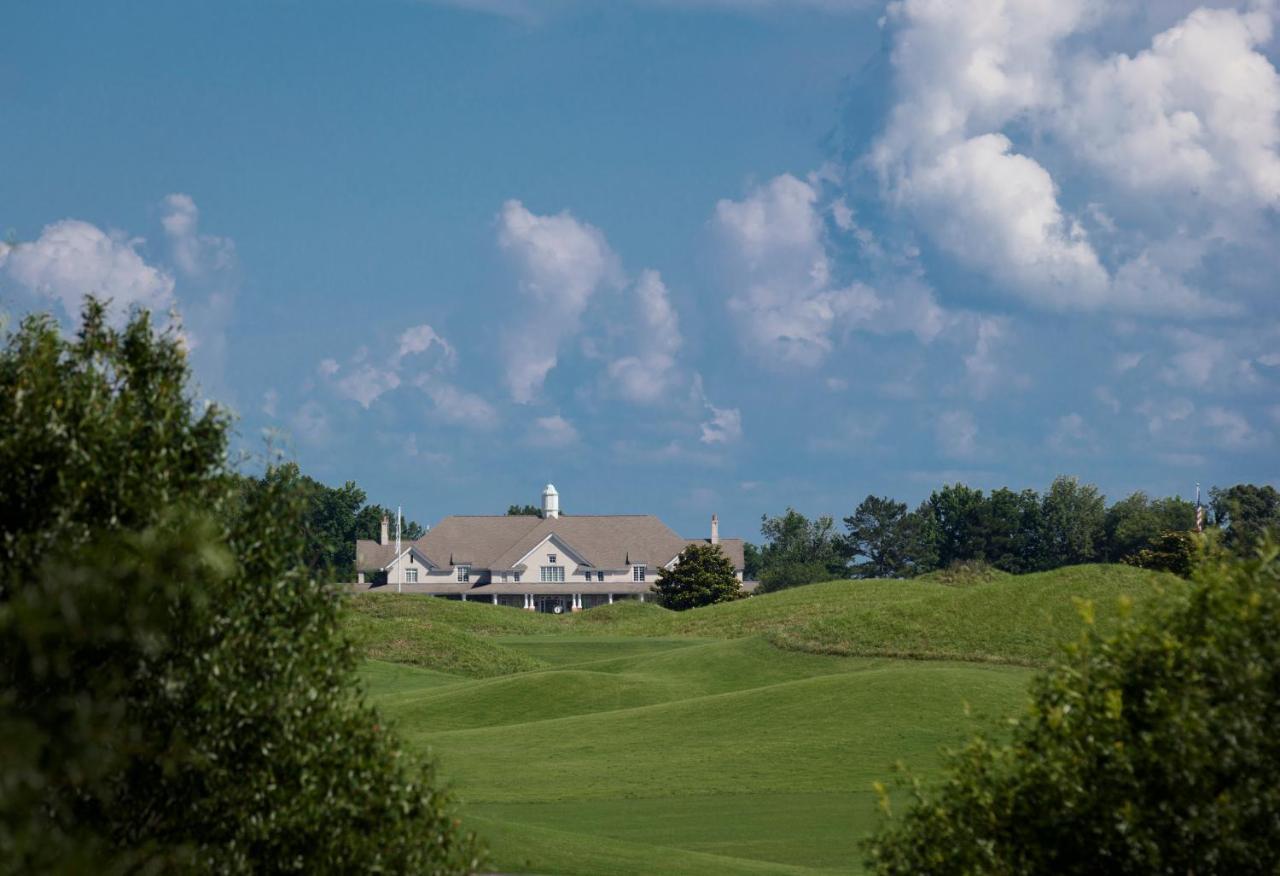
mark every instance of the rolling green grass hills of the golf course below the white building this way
{"type": "Point", "coordinates": [740, 738]}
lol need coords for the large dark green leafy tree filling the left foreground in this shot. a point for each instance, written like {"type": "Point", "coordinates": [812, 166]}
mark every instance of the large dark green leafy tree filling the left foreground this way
{"type": "Point", "coordinates": [176, 692]}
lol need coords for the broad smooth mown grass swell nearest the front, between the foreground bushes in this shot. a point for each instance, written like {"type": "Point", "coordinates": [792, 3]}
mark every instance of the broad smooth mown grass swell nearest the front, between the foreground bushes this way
{"type": "Point", "coordinates": [820, 734]}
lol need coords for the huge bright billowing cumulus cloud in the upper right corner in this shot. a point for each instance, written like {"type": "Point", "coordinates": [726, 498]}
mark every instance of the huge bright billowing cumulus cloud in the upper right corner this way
{"type": "Point", "coordinates": [1195, 113]}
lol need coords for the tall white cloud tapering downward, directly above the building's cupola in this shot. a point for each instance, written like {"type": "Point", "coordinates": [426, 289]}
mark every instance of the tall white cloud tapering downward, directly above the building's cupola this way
{"type": "Point", "coordinates": [561, 263]}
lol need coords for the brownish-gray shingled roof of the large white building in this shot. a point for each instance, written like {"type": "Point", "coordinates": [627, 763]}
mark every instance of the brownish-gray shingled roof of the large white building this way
{"type": "Point", "coordinates": [607, 542]}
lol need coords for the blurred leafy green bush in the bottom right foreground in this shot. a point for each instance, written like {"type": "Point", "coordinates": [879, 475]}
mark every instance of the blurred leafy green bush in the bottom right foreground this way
{"type": "Point", "coordinates": [1150, 751]}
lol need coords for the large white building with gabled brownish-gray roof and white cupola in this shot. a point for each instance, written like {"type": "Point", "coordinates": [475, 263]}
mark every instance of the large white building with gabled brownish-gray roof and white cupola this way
{"type": "Point", "coordinates": [541, 564]}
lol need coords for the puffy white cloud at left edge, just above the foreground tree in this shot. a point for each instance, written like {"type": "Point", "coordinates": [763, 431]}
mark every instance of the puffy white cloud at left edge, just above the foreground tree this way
{"type": "Point", "coordinates": [72, 259]}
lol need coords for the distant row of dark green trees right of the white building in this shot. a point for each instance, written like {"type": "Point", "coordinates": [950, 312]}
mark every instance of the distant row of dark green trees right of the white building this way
{"type": "Point", "coordinates": [1016, 532]}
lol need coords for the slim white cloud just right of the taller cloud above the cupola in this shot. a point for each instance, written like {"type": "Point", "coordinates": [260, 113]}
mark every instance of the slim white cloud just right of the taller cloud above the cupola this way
{"type": "Point", "coordinates": [648, 376]}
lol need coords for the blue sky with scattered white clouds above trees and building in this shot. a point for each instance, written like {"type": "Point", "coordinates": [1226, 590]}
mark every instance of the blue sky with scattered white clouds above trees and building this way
{"type": "Point", "coordinates": [678, 257]}
